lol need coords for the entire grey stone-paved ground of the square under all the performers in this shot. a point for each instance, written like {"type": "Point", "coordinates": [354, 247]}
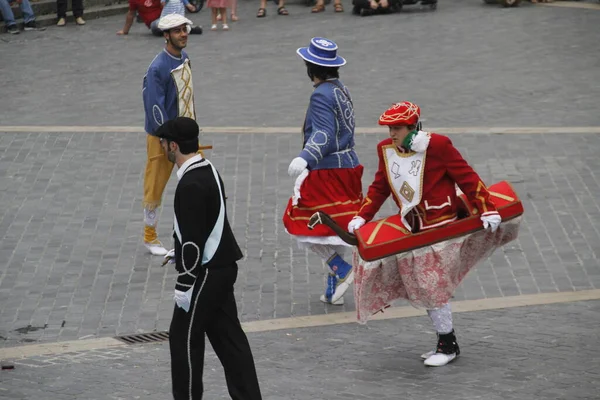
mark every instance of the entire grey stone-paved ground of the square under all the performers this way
{"type": "Point", "coordinates": [72, 265]}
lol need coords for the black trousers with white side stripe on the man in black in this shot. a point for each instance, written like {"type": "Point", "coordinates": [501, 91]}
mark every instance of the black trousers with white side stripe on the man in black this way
{"type": "Point", "coordinates": [212, 312]}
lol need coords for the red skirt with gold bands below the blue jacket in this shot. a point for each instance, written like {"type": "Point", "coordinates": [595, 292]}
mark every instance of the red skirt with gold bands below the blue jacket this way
{"type": "Point", "coordinates": [337, 192]}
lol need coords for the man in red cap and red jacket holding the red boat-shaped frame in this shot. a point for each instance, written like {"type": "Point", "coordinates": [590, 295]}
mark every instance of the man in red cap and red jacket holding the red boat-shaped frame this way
{"type": "Point", "coordinates": [421, 170]}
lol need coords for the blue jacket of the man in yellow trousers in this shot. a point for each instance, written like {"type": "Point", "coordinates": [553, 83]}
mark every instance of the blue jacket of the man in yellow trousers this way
{"type": "Point", "coordinates": [159, 91]}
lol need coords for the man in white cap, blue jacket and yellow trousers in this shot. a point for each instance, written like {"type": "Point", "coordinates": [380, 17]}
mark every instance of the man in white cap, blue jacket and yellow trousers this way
{"type": "Point", "coordinates": [168, 93]}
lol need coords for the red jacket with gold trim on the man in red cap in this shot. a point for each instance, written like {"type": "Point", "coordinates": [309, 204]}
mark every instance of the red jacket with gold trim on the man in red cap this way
{"type": "Point", "coordinates": [444, 166]}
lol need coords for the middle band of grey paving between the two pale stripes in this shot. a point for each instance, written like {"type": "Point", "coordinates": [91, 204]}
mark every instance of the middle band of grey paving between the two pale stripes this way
{"type": "Point", "coordinates": [72, 264]}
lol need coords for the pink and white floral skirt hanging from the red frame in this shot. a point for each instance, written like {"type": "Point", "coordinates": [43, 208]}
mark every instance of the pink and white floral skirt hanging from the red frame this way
{"type": "Point", "coordinates": [427, 277]}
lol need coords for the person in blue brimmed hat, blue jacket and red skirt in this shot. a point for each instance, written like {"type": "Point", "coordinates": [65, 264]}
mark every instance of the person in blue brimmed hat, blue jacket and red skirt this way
{"type": "Point", "coordinates": [327, 171]}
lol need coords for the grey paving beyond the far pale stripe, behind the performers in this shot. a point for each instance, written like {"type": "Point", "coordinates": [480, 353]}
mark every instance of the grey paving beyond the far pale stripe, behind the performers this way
{"type": "Point", "coordinates": [466, 64]}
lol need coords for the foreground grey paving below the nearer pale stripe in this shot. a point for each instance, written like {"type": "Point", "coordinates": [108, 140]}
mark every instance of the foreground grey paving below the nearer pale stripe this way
{"type": "Point", "coordinates": [545, 352]}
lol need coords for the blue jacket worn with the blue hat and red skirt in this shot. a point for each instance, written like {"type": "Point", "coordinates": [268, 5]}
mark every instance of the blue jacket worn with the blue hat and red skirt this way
{"type": "Point", "coordinates": [329, 128]}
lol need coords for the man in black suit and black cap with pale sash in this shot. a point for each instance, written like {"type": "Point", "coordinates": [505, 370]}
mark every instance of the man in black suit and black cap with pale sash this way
{"type": "Point", "coordinates": [205, 257]}
